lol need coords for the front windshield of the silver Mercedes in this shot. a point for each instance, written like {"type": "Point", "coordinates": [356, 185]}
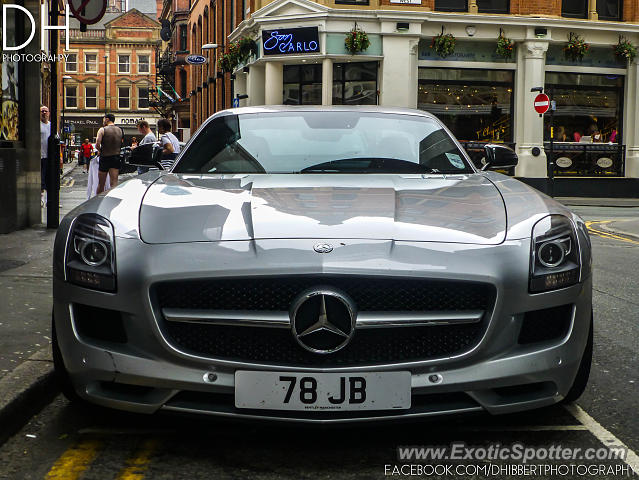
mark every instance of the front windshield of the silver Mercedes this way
{"type": "Point", "coordinates": [322, 142]}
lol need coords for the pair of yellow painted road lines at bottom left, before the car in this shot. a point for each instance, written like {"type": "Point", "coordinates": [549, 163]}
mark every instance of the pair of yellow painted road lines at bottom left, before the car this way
{"type": "Point", "coordinates": [79, 457]}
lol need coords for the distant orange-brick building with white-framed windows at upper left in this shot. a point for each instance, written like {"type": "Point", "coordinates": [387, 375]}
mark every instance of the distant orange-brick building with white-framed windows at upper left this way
{"type": "Point", "coordinates": [110, 68]}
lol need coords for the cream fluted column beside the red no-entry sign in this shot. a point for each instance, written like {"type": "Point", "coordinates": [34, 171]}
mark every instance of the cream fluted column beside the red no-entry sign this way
{"type": "Point", "coordinates": [529, 127]}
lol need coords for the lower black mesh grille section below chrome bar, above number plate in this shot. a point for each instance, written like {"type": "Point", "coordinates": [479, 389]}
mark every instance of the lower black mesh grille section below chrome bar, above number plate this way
{"type": "Point", "coordinates": [368, 346]}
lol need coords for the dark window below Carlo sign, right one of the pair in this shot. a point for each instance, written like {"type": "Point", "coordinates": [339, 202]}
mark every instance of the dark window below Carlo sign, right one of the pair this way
{"type": "Point", "coordinates": [355, 83]}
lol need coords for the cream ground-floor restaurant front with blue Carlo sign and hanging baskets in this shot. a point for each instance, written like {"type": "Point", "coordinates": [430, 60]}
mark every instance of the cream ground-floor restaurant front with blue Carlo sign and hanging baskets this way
{"type": "Point", "coordinates": [481, 96]}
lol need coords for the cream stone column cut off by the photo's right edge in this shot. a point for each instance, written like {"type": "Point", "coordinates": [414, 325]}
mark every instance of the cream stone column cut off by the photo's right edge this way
{"type": "Point", "coordinates": [631, 124]}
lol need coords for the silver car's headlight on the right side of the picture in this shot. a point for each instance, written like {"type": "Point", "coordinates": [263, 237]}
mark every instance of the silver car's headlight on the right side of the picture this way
{"type": "Point", "coordinates": [555, 258]}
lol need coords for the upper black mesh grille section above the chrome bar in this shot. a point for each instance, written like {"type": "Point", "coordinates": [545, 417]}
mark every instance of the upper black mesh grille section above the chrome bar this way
{"type": "Point", "coordinates": [369, 294]}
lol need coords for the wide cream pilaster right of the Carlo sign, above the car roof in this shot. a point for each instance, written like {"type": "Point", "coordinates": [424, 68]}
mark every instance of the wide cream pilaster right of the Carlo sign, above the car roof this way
{"type": "Point", "coordinates": [398, 77]}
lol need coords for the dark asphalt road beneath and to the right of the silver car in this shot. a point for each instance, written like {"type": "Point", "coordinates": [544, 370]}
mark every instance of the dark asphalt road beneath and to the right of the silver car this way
{"type": "Point", "coordinates": [65, 442]}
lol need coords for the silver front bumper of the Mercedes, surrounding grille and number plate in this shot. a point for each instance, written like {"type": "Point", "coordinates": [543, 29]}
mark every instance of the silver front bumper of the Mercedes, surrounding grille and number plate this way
{"type": "Point", "coordinates": [147, 374]}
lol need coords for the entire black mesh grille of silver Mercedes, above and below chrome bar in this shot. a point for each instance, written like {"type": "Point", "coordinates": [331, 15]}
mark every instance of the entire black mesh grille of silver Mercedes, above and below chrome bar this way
{"type": "Point", "coordinates": [368, 346]}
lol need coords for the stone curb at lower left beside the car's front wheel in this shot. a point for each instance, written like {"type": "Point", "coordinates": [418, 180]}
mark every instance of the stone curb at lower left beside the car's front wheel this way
{"type": "Point", "coordinates": [25, 391]}
